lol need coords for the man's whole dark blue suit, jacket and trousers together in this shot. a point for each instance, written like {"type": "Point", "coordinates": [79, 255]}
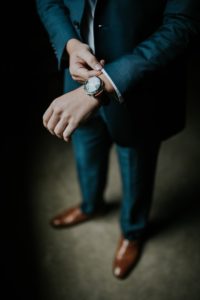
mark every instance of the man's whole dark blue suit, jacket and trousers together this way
{"type": "Point", "coordinates": [144, 44]}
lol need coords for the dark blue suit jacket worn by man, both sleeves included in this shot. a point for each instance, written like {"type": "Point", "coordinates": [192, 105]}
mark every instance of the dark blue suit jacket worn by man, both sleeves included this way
{"type": "Point", "coordinates": [144, 44]}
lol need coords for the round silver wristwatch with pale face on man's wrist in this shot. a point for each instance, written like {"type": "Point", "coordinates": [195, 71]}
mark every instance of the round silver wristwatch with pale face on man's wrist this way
{"type": "Point", "coordinates": [94, 86]}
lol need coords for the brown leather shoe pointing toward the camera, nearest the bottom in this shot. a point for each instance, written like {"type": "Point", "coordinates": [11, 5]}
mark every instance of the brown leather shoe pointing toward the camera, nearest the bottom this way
{"type": "Point", "coordinates": [126, 257]}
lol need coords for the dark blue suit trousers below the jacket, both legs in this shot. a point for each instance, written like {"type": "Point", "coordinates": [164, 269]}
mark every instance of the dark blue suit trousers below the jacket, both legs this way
{"type": "Point", "coordinates": [92, 143]}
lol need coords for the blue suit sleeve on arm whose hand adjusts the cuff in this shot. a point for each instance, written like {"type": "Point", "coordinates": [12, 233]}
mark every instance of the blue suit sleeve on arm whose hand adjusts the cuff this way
{"type": "Point", "coordinates": [55, 18]}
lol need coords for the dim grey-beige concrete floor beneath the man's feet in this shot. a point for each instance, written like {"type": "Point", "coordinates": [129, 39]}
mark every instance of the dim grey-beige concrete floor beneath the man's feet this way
{"type": "Point", "coordinates": [76, 263]}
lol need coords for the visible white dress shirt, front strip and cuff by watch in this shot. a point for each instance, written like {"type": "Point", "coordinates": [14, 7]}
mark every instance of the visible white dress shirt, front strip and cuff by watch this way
{"type": "Point", "coordinates": [88, 32]}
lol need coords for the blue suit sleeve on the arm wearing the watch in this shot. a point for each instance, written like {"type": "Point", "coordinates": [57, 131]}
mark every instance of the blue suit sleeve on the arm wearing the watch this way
{"type": "Point", "coordinates": [181, 23]}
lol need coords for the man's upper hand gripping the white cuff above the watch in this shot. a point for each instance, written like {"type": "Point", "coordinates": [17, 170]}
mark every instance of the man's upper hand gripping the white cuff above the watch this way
{"type": "Point", "coordinates": [82, 63]}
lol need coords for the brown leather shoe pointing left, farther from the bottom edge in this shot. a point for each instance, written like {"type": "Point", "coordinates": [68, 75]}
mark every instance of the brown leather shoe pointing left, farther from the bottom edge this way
{"type": "Point", "coordinates": [70, 217]}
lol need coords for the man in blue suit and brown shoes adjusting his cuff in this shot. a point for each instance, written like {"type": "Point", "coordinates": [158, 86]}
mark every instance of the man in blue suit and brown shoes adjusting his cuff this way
{"type": "Point", "coordinates": [124, 82]}
